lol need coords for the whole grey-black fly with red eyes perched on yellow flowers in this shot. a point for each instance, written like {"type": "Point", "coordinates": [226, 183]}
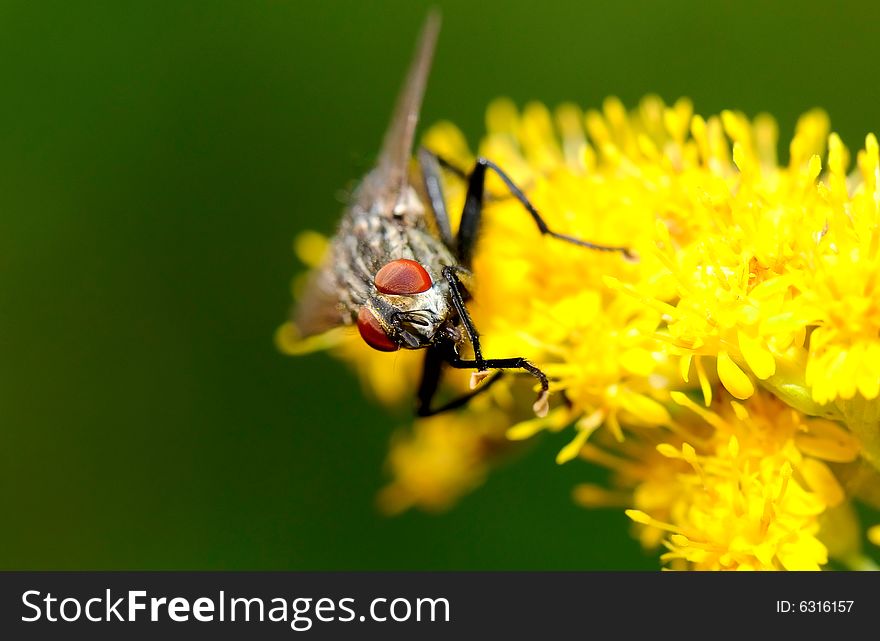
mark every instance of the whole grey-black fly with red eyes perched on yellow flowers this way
{"type": "Point", "coordinates": [396, 271]}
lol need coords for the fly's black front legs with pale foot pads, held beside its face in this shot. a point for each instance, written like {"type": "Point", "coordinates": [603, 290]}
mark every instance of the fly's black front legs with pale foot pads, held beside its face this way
{"type": "Point", "coordinates": [482, 365]}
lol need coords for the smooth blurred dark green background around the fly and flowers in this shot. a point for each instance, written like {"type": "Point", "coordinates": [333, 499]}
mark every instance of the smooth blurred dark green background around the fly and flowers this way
{"type": "Point", "coordinates": [156, 160]}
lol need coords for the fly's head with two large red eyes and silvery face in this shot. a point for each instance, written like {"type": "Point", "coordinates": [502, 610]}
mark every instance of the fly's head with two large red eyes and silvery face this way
{"type": "Point", "coordinates": [407, 310]}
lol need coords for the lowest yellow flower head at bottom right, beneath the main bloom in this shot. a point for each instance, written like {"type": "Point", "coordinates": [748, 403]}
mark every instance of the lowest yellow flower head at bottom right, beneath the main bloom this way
{"type": "Point", "coordinates": [741, 486]}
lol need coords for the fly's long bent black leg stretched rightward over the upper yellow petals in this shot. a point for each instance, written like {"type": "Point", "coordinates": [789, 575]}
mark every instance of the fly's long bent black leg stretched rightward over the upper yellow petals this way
{"type": "Point", "coordinates": [473, 208]}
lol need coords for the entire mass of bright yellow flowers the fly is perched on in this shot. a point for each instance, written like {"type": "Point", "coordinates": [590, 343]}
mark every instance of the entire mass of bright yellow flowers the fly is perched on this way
{"type": "Point", "coordinates": [728, 375]}
